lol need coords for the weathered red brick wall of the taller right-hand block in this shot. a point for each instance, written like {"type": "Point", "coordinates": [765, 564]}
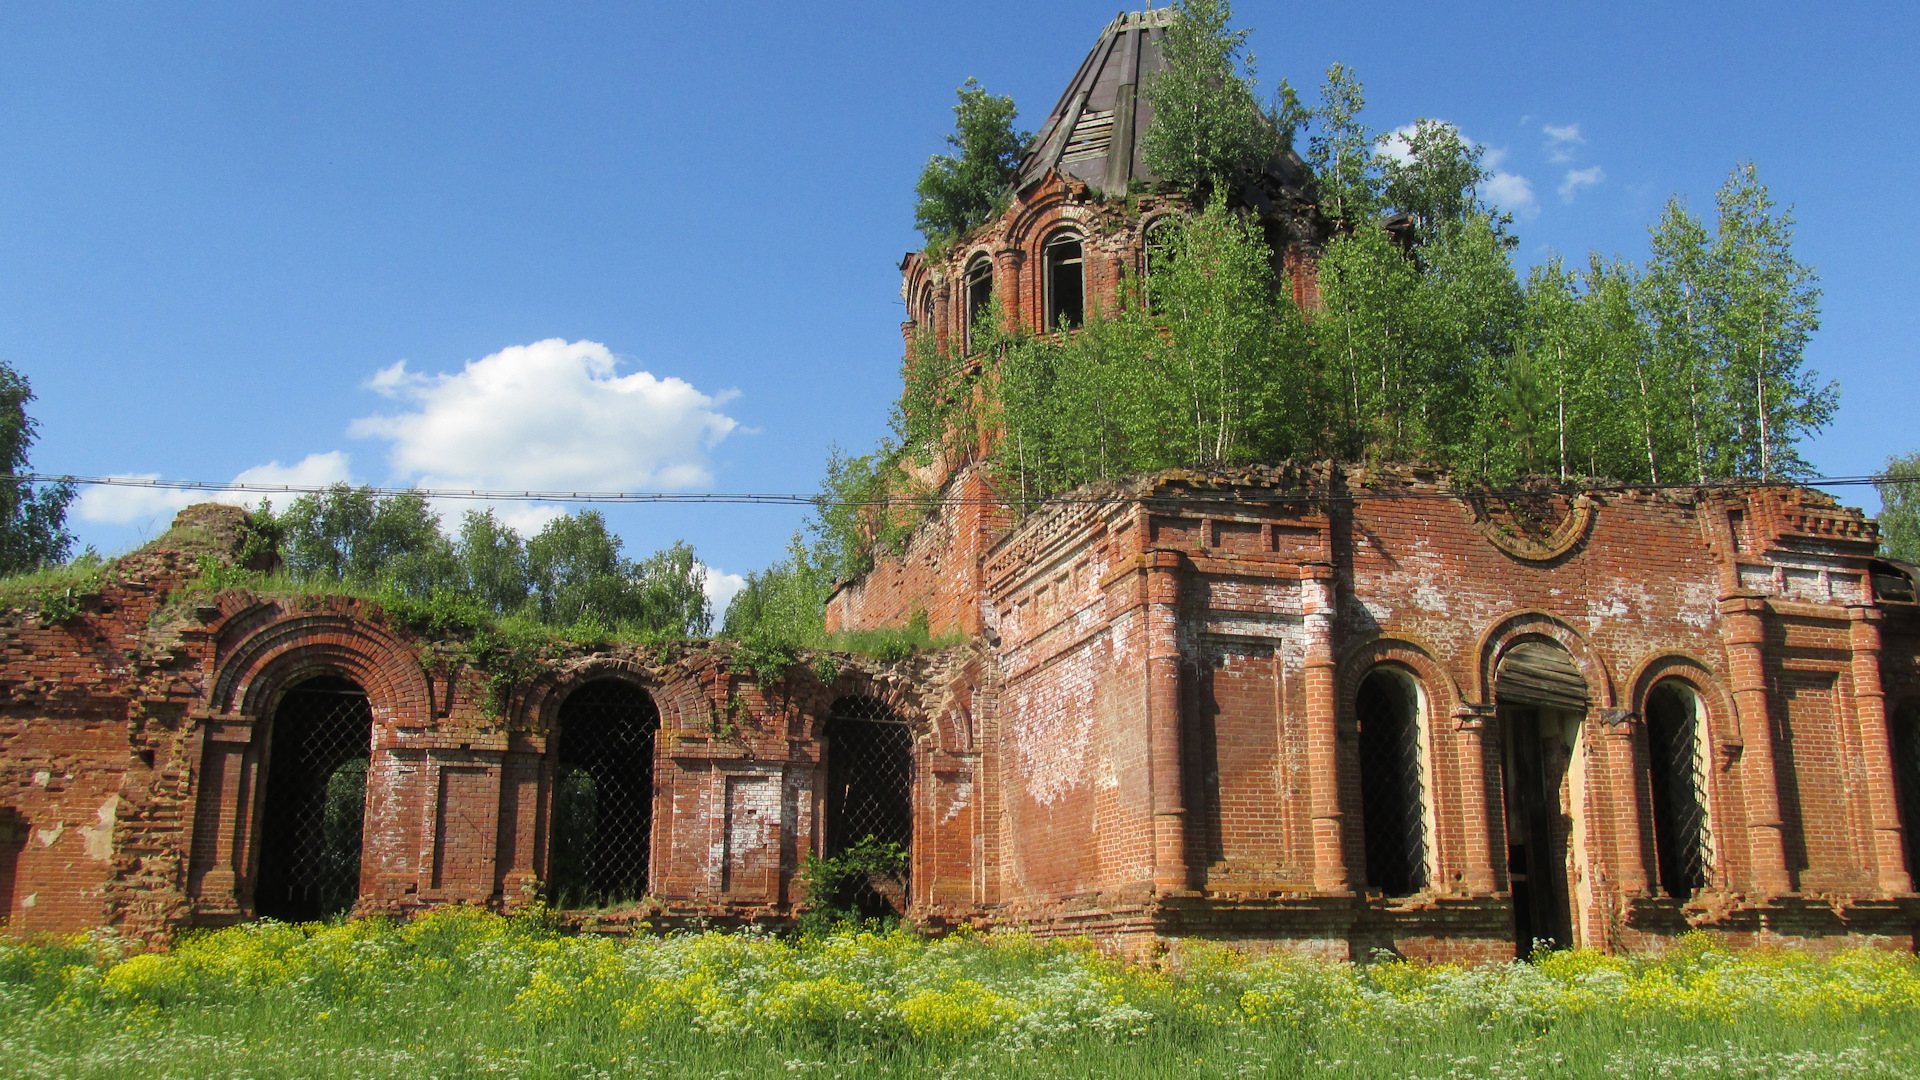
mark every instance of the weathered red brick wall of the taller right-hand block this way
{"type": "Point", "coordinates": [1274, 610]}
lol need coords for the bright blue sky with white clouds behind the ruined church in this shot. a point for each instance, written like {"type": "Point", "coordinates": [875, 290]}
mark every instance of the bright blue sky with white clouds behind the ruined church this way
{"type": "Point", "coordinates": [652, 247]}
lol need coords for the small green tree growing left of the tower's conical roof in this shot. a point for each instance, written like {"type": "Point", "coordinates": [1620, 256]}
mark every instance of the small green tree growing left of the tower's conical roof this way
{"type": "Point", "coordinates": [963, 189]}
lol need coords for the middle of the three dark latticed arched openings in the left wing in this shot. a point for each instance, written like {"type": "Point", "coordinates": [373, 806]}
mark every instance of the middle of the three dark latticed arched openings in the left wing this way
{"type": "Point", "coordinates": [604, 797]}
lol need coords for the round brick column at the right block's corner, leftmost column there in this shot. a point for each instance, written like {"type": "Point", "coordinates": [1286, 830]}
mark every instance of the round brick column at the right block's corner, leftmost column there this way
{"type": "Point", "coordinates": [1164, 720]}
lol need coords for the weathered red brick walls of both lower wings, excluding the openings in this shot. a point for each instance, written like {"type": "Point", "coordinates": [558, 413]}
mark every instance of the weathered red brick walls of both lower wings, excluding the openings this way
{"type": "Point", "coordinates": [1153, 735]}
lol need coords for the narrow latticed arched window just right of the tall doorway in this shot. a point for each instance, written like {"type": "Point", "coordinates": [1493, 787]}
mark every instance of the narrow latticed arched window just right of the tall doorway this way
{"type": "Point", "coordinates": [1677, 762]}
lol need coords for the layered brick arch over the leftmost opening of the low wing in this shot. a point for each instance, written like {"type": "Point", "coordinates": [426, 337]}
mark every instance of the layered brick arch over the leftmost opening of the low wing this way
{"type": "Point", "coordinates": [262, 649]}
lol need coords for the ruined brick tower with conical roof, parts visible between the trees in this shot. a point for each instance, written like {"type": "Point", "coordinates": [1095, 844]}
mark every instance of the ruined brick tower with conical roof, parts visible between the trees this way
{"type": "Point", "coordinates": [1084, 214]}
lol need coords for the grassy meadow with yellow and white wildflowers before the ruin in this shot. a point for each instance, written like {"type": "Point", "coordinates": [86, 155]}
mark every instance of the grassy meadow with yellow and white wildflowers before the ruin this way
{"type": "Point", "coordinates": [466, 994]}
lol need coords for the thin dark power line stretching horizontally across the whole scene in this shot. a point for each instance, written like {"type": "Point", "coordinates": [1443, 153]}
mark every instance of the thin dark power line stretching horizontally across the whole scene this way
{"type": "Point", "coordinates": [790, 499]}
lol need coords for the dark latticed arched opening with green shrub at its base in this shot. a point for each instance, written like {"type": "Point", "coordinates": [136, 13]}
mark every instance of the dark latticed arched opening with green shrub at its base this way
{"type": "Point", "coordinates": [871, 797]}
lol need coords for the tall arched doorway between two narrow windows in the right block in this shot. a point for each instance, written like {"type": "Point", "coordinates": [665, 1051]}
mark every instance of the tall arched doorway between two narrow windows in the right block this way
{"type": "Point", "coordinates": [1543, 700]}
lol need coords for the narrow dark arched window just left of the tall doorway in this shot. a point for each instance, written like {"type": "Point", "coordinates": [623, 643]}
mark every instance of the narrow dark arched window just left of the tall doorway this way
{"type": "Point", "coordinates": [1393, 791]}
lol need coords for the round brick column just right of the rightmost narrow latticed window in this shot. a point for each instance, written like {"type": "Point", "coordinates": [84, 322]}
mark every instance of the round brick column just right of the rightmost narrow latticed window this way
{"type": "Point", "coordinates": [1744, 631]}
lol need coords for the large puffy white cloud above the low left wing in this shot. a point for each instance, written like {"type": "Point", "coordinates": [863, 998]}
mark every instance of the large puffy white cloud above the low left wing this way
{"type": "Point", "coordinates": [548, 416]}
